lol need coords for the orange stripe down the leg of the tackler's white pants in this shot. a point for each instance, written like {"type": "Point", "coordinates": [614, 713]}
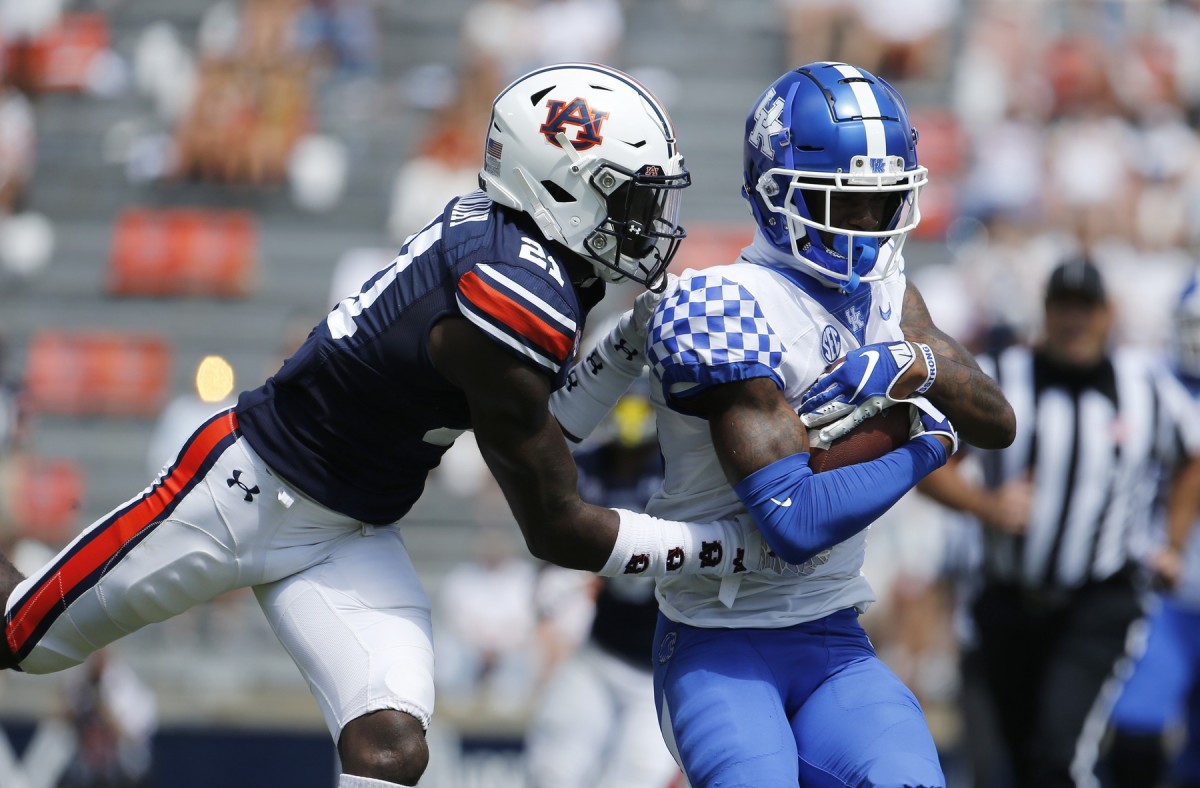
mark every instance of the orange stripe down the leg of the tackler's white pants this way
{"type": "Point", "coordinates": [111, 539]}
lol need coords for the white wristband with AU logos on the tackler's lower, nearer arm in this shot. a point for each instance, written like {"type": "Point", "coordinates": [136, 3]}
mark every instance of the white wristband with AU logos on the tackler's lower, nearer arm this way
{"type": "Point", "coordinates": [652, 548]}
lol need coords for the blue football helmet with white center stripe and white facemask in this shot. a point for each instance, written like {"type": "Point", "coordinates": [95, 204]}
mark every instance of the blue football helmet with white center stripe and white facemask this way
{"type": "Point", "coordinates": [818, 137]}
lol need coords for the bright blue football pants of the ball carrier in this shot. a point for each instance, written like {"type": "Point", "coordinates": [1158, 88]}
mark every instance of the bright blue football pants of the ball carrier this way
{"type": "Point", "coordinates": [811, 705]}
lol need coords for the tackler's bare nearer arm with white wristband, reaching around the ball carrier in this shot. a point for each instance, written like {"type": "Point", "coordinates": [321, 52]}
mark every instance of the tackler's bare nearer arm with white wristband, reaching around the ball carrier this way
{"type": "Point", "coordinates": [527, 454]}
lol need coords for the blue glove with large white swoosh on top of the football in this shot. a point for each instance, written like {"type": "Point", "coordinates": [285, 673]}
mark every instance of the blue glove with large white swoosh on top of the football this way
{"type": "Point", "coordinates": [867, 372]}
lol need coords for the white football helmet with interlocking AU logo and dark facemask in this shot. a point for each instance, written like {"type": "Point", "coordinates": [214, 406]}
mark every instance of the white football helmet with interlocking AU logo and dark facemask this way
{"type": "Point", "coordinates": [590, 154]}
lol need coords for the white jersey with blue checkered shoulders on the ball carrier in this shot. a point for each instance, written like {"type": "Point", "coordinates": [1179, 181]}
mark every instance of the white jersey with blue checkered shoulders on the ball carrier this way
{"type": "Point", "coordinates": [734, 323]}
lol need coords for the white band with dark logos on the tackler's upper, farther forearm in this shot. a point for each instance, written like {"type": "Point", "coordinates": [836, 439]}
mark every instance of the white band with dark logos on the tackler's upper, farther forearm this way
{"type": "Point", "coordinates": [598, 381]}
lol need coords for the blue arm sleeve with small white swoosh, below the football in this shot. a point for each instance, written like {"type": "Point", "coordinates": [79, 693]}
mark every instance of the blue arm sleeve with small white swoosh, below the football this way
{"type": "Point", "coordinates": [802, 514]}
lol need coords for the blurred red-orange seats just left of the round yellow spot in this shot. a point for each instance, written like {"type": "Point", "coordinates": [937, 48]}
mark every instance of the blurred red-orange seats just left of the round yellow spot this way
{"type": "Point", "coordinates": [98, 374]}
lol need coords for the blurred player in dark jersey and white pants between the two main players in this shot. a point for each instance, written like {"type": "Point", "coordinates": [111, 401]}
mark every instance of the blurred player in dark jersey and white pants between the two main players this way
{"type": "Point", "coordinates": [596, 726]}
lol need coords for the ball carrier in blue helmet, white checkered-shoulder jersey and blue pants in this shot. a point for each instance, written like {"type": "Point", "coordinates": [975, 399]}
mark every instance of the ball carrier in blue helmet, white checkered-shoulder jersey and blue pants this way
{"type": "Point", "coordinates": [767, 679]}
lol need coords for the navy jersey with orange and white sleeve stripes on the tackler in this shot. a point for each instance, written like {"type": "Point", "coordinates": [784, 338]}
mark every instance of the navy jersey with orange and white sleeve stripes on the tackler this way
{"type": "Point", "coordinates": [358, 417]}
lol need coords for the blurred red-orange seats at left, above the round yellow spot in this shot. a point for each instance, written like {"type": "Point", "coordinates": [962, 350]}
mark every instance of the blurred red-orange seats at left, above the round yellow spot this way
{"type": "Point", "coordinates": [163, 252]}
